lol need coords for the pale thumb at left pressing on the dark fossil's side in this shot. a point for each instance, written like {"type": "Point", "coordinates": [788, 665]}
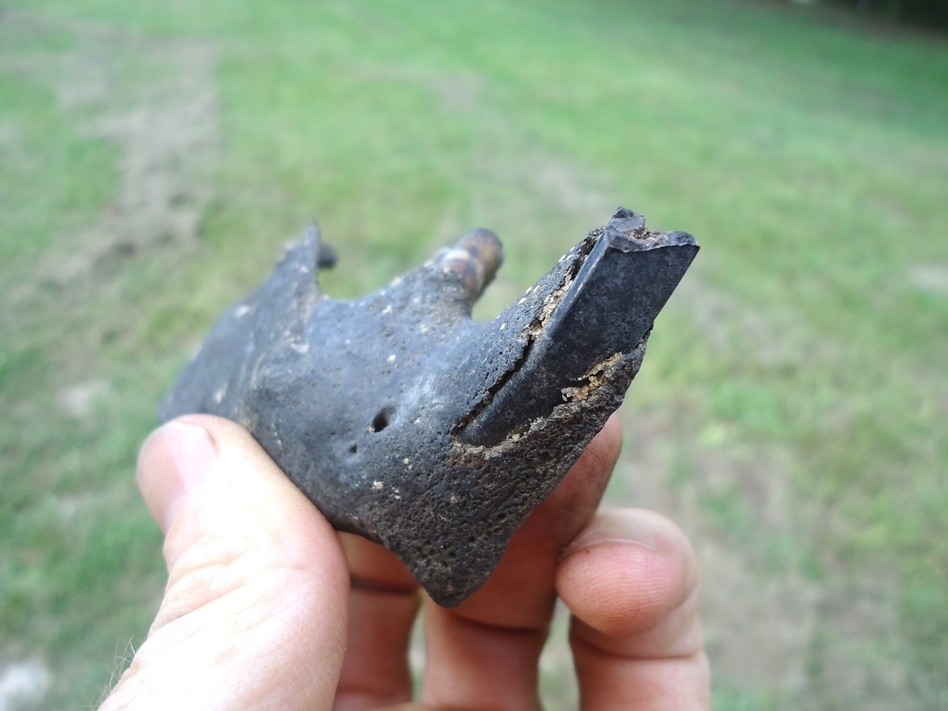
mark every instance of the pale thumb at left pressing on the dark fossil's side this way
{"type": "Point", "coordinates": [254, 613]}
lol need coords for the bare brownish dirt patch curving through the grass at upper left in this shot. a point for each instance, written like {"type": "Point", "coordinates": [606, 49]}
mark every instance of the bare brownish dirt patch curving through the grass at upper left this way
{"type": "Point", "coordinates": [157, 100]}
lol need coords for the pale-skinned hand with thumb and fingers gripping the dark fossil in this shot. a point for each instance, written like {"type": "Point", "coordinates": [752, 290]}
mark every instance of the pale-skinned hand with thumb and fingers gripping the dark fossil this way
{"type": "Point", "coordinates": [267, 607]}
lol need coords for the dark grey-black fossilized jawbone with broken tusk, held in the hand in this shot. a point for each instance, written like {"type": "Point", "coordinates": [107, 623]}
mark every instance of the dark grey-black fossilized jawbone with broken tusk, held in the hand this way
{"type": "Point", "coordinates": [405, 421]}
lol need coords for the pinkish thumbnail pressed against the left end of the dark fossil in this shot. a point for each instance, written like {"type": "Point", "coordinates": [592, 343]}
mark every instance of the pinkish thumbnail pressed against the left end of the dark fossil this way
{"type": "Point", "coordinates": [172, 464]}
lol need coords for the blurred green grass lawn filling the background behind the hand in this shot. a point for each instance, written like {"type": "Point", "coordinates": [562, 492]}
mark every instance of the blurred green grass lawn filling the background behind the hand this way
{"type": "Point", "coordinates": [808, 156]}
